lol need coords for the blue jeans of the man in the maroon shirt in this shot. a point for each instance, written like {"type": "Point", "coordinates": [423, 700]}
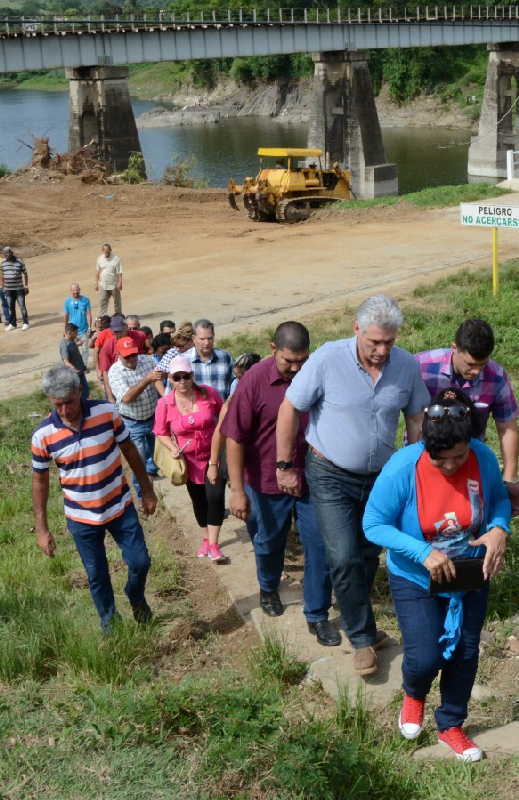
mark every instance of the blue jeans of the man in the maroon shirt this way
{"type": "Point", "coordinates": [272, 518]}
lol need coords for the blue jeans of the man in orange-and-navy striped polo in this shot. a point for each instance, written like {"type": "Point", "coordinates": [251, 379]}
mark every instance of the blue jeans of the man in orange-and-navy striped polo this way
{"type": "Point", "coordinates": [90, 542]}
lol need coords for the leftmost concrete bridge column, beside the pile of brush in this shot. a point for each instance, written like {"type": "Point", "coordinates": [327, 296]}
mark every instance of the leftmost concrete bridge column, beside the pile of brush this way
{"type": "Point", "coordinates": [100, 109]}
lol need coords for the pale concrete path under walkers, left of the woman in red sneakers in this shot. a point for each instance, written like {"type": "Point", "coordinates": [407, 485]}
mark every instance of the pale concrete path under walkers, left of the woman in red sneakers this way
{"type": "Point", "coordinates": [332, 666]}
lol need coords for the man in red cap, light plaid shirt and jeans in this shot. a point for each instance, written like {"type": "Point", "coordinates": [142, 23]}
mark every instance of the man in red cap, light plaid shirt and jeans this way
{"type": "Point", "coordinates": [136, 387]}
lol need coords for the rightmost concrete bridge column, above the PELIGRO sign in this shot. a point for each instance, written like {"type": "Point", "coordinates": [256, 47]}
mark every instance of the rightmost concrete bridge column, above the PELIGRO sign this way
{"type": "Point", "coordinates": [487, 152]}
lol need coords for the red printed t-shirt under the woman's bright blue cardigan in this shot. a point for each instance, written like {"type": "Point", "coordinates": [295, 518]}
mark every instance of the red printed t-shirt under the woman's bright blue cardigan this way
{"type": "Point", "coordinates": [450, 508]}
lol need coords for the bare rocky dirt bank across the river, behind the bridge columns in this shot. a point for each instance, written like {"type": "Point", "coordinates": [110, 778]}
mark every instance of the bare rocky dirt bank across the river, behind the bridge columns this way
{"type": "Point", "coordinates": [287, 100]}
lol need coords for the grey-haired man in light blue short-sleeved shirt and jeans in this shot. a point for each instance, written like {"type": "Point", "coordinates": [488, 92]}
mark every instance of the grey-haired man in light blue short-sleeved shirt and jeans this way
{"type": "Point", "coordinates": [354, 390]}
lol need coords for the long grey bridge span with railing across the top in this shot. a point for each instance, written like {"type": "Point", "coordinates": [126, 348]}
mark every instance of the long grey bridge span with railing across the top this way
{"type": "Point", "coordinates": [51, 42]}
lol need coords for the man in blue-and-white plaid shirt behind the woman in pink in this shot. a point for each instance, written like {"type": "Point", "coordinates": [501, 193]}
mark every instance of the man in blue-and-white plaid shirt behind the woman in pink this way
{"type": "Point", "coordinates": [211, 366]}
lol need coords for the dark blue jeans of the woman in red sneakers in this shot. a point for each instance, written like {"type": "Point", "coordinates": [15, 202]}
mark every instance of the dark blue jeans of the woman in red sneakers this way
{"type": "Point", "coordinates": [421, 617]}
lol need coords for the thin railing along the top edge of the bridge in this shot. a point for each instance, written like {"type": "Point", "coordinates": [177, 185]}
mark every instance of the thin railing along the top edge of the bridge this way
{"type": "Point", "coordinates": [347, 15]}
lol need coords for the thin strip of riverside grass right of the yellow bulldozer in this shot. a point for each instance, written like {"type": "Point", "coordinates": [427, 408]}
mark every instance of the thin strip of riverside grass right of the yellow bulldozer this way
{"type": "Point", "coordinates": [432, 197]}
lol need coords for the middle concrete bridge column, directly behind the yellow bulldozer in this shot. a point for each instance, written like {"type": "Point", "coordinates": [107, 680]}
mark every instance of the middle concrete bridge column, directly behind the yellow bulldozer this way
{"type": "Point", "coordinates": [344, 122]}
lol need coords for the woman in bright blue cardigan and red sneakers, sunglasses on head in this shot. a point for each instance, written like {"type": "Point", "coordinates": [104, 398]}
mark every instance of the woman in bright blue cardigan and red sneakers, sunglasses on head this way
{"type": "Point", "coordinates": [437, 506]}
